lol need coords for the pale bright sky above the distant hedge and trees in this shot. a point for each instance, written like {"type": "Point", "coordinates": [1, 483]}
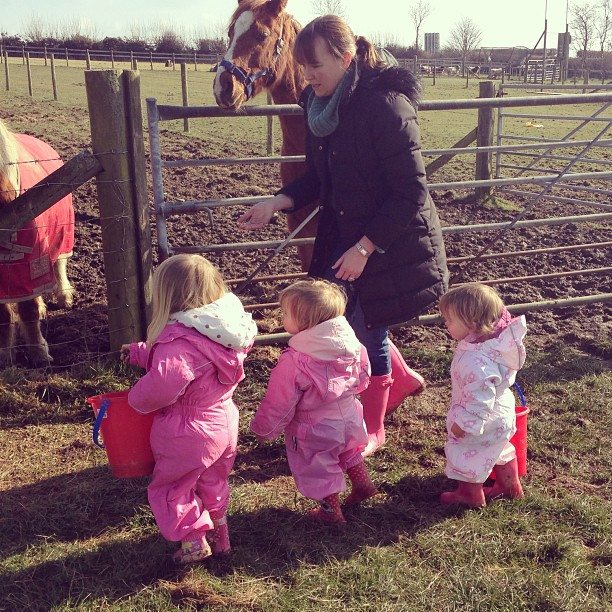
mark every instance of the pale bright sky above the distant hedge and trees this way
{"type": "Point", "coordinates": [503, 24]}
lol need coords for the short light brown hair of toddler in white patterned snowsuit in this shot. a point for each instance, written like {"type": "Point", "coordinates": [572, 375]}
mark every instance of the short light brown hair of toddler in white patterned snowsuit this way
{"type": "Point", "coordinates": [477, 306]}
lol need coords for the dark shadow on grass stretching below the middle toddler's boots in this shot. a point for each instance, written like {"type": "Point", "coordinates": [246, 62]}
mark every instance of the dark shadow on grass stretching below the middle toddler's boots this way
{"type": "Point", "coordinates": [276, 541]}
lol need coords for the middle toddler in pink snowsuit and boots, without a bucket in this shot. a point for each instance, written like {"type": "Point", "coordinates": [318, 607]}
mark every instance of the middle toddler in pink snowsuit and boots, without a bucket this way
{"type": "Point", "coordinates": [311, 397]}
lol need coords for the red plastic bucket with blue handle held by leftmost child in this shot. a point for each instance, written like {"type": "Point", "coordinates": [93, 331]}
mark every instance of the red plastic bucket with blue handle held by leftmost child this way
{"type": "Point", "coordinates": [126, 434]}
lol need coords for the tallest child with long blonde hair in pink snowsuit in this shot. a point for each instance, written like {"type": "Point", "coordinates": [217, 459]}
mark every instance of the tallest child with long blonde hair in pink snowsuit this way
{"type": "Point", "coordinates": [196, 345]}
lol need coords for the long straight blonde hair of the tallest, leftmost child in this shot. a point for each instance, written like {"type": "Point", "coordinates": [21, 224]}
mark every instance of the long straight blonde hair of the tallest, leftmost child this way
{"type": "Point", "coordinates": [180, 283]}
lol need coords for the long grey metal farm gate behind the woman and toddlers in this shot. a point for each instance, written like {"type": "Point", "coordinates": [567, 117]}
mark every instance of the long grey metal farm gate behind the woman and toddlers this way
{"type": "Point", "coordinates": [537, 184]}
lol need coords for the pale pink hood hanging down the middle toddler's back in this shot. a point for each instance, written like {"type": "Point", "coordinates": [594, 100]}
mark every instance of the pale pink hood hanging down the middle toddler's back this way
{"type": "Point", "coordinates": [329, 354]}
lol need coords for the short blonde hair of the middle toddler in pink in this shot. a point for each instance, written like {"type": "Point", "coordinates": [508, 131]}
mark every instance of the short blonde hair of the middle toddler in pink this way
{"type": "Point", "coordinates": [311, 302]}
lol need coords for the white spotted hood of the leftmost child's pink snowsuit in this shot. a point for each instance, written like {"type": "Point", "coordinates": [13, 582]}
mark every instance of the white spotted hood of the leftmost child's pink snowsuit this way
{"type": "Point", "coordinates": [224, 321]}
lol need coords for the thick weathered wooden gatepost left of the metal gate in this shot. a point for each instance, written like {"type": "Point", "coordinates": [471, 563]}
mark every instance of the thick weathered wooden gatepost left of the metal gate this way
{"type": "Point", "coordinates": [116, 192]}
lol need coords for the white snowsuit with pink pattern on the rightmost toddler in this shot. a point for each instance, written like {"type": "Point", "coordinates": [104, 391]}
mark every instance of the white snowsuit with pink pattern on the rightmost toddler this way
{"type": "Point", "coordinates": [482, 404]}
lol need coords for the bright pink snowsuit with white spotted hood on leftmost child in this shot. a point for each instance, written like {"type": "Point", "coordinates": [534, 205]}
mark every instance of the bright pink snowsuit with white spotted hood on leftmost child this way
{"type": "Point", "coordinates": [193, 369]}
